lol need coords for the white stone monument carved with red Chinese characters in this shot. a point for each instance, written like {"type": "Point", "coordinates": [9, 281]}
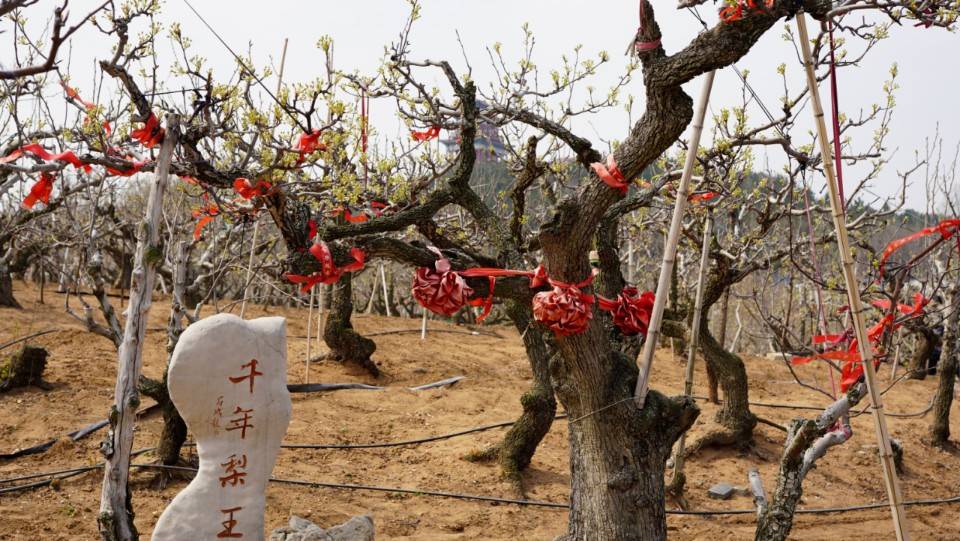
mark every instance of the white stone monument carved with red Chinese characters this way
{"type": "Point", "coordinates": [228, 379]}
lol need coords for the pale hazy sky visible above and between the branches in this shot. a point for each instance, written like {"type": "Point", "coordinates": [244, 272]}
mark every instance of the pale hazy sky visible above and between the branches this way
{"type": "Point", "coordinates": [927, 58]}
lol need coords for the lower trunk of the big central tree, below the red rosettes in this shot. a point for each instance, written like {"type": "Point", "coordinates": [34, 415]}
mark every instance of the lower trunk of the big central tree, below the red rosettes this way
{"type": "Point", "coordinates": [617, 452]}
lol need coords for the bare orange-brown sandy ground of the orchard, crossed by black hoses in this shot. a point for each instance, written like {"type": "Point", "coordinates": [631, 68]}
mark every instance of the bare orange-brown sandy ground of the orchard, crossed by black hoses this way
{"type": "Point", "coordinates": [82, 370]}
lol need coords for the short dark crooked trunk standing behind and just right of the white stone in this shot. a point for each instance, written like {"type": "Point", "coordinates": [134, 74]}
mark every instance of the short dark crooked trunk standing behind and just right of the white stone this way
{"type": "Point", "coordinates": [345, 344]}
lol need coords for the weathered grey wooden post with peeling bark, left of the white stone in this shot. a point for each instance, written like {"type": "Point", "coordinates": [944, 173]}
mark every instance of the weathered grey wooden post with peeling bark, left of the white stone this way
{"type": "Point", "coordinates": [115, 520]}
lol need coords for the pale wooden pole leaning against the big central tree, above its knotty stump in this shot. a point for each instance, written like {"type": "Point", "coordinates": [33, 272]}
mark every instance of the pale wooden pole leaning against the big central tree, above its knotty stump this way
{"type": "Point", "coordinates": [670, 249]}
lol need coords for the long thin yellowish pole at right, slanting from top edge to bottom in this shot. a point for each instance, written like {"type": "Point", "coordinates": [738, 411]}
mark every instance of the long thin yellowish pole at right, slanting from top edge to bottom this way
{"type": "Point", "coordinates": [853, 294]}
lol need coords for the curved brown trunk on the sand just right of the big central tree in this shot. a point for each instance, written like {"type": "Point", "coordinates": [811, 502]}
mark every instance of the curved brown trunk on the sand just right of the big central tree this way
{"type": "Point", "coordinates": [734, 416]}
